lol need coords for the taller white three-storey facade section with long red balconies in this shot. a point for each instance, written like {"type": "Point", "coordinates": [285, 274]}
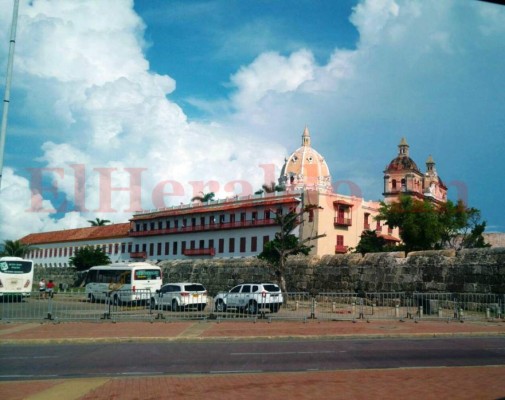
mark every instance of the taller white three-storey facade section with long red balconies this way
{"type": "Point", "coordinates": [234, 227]}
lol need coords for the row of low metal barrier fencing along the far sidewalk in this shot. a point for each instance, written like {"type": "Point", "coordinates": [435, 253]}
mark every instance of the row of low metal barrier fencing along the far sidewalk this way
{"type": "Point", "coordinates": [68, 306]}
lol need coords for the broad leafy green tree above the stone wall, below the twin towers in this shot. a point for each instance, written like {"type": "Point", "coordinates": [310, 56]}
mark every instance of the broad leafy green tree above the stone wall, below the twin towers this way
{"type": "Point", "coordinates": [425, 225]}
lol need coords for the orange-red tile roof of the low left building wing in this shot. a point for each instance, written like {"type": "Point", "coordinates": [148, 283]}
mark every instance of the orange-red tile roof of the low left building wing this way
{"type": "Point", "coordinates": [79, 234]}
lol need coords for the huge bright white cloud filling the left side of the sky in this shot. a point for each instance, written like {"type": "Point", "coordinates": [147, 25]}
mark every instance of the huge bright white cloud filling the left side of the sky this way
{"type": "Point", "coordinates": [114, 121]}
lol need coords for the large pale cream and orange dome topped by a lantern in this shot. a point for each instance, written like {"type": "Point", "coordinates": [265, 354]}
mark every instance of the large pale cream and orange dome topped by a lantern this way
{"type": "Point", "coordinates": [305, 167]}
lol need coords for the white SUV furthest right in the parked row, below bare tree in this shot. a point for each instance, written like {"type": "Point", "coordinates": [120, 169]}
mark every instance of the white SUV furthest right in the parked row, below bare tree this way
{"type": "Point", "coordinates": [250, 298]}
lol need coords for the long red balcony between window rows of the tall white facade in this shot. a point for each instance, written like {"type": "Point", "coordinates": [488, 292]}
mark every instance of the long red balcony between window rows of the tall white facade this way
{"type": "Point", "coordinates": [207, 227]}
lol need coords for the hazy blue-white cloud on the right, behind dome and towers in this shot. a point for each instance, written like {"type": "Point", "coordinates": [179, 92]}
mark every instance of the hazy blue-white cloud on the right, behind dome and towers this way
{"type": "Point", "coordinates": [427, 70]}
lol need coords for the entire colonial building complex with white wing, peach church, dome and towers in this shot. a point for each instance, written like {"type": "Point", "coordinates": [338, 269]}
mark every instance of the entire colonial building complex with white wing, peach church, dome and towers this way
{"type": "Point", "coordinates": [241, 226]}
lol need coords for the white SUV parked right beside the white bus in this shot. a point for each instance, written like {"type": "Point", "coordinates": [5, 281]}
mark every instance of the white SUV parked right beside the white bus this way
{"type": "Point", "coordinates": [178, 296]}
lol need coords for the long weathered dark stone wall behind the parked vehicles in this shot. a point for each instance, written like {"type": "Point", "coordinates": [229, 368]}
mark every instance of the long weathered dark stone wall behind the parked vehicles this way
{"type": "Point", "coordinates": [472, 271]}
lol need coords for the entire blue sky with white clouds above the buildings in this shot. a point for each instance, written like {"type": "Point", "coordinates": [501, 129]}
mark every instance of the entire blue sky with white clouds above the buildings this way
{"type": "Point", "coordinates": [123, 105]}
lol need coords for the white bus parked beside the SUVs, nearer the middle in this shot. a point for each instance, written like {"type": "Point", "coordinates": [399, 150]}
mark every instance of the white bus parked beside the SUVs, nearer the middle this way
{"type": "Point", "coordinates": [123, 282]}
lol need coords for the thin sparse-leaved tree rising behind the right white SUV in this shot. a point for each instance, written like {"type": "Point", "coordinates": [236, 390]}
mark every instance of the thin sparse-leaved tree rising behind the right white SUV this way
{"type": "Point", "coordinates": [286, 243]}
